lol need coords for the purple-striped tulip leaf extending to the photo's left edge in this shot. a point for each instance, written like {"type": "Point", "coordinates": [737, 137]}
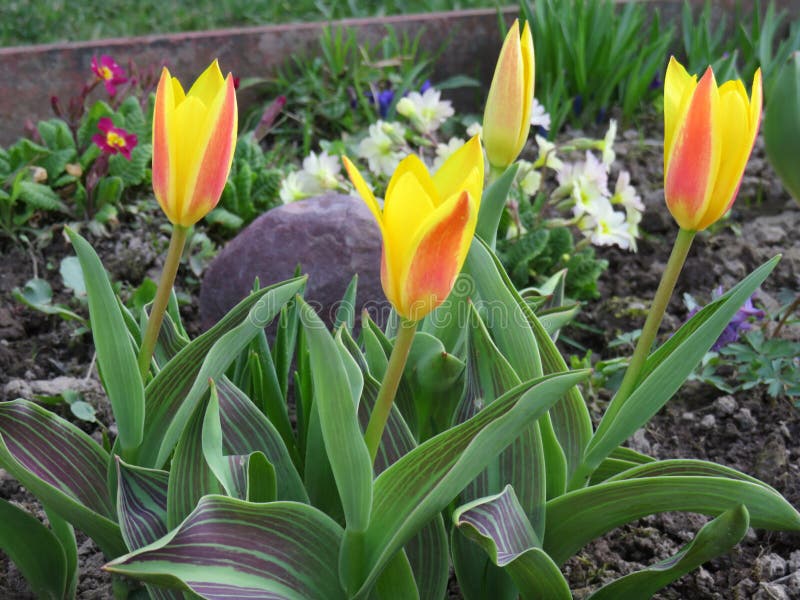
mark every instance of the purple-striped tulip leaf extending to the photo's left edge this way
{"type": "Point", "coordinates": [63, 467]}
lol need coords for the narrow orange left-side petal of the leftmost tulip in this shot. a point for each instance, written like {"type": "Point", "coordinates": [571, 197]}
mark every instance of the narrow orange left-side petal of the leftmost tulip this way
{"type": "Point", "coordinates": [163, 162]}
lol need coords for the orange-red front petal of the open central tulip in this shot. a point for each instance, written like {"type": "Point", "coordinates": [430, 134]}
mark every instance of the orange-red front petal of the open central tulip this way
{"type": "Point", "coordinates": [438, 252]}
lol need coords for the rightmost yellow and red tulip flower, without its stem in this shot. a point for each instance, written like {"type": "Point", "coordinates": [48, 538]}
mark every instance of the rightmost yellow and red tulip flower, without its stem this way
{"type": "Point", "coordinates": [709, 132]}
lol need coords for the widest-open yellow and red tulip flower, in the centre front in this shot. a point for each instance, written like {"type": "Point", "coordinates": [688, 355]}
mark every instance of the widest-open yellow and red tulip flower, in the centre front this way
{"type": "Point", "coordinates": [427, 224]}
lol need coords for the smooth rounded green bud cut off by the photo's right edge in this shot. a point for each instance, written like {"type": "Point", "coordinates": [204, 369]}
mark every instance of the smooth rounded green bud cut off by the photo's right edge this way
{"type": "Point", "coordinates": [782, 125]}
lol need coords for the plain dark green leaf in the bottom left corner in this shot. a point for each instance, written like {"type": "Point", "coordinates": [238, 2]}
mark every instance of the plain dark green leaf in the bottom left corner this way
{"type": "Point", "coordinates": [35, 551]}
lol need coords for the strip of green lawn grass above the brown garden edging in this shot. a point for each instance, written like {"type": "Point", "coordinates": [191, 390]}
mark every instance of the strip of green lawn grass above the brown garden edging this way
{"type": "Point", "coordinates": [46, 21]}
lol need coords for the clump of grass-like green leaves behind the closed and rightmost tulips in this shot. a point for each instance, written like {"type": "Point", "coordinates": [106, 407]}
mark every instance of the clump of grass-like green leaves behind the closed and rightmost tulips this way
{"type": "Point", "coordinates": [592, 57]}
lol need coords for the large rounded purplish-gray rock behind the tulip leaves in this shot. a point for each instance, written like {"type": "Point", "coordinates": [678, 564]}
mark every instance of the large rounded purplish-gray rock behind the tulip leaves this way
{"type": "Point", "coordinates": [331, 237]}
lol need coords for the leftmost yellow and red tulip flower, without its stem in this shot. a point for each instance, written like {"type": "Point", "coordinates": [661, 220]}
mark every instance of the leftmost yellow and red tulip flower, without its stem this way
{"type": "Point", "coordinates": [194, 136]}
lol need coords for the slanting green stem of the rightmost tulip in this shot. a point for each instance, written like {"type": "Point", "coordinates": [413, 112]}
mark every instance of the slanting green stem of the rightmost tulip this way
{"type": "Point", "coordinates": [674, 265]}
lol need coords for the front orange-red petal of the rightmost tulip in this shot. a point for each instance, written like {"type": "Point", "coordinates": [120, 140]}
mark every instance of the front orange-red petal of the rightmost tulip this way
{"type": "Point", "coordinates": [695, 158]}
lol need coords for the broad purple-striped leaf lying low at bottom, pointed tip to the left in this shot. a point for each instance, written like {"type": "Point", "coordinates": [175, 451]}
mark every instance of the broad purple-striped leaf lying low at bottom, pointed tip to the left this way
{"type": "Point", "coordinates": [227, 548]}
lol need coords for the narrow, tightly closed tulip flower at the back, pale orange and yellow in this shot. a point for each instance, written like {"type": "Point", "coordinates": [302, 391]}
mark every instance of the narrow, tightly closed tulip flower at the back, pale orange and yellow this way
{"type": "Point", "coordinates": [507, 117]}
